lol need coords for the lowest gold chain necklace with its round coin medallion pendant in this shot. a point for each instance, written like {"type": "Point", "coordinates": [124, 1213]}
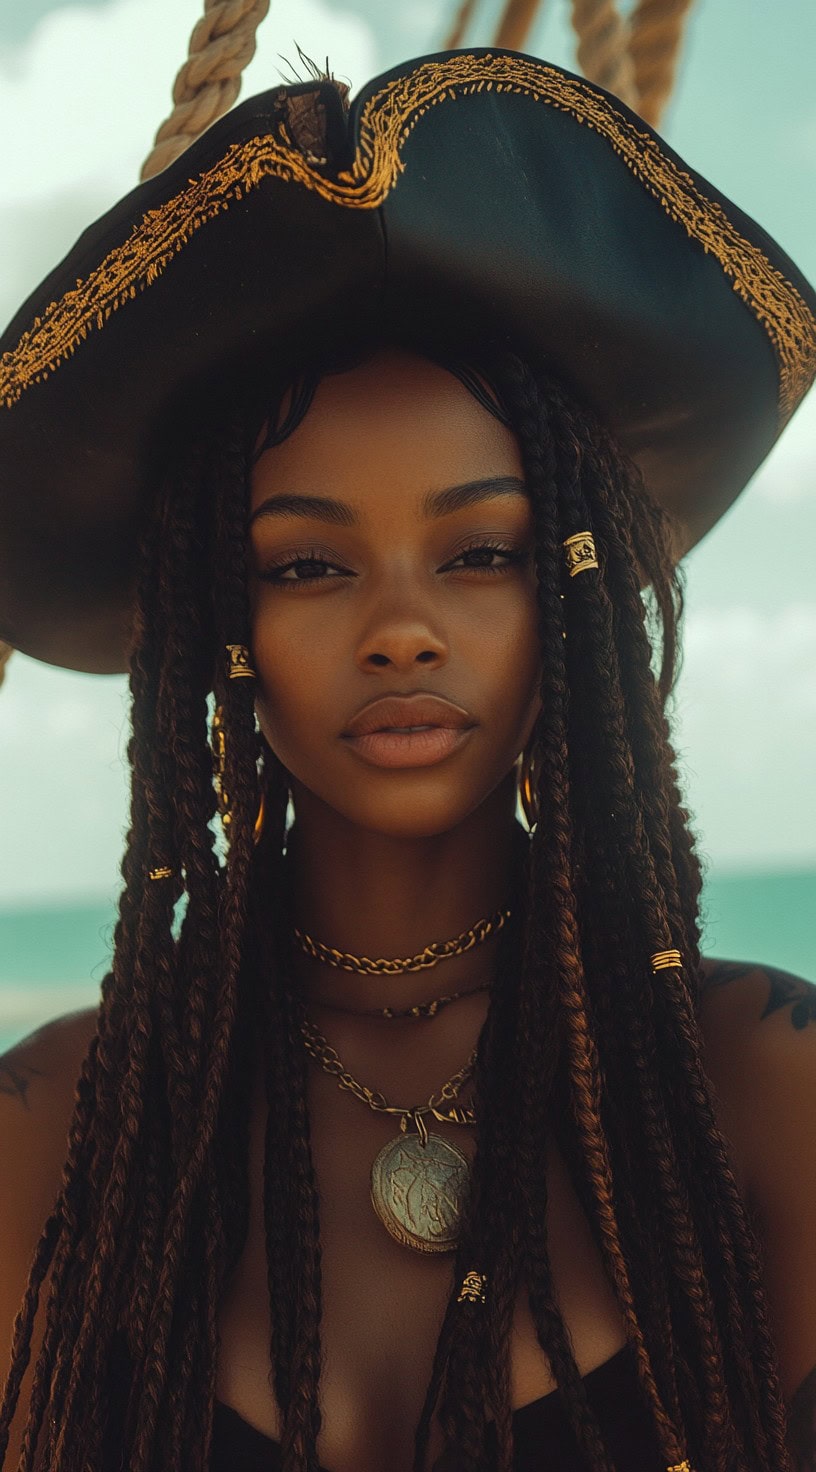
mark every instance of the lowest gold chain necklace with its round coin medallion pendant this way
{"type": "Point", "coordinates": [421, 1183]}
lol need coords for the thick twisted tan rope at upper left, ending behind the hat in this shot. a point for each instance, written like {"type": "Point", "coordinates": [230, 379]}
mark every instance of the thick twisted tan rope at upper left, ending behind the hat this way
{"type": "Point", "coordinates": [222, 45]}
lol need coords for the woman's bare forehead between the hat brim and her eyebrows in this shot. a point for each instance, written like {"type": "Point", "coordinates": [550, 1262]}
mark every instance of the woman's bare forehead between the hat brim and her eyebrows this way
{"type": "Point", "coordinates": [397, 420]}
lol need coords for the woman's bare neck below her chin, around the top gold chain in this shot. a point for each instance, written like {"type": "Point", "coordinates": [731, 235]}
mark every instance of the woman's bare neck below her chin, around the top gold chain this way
{"type": "Point", "coordinates": [384, 897]}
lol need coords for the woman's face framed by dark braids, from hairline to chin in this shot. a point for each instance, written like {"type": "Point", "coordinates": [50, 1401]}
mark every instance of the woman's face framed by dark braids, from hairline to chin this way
{"type": "Point", "coordinates": [367, 590]}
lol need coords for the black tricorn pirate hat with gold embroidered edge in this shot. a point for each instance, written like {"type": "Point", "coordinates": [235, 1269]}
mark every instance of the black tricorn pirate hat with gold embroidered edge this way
{"type": "Point", "coordinates": [469, 195]}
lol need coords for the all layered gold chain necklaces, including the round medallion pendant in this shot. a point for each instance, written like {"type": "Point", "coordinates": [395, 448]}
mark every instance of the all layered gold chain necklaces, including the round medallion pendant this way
{"type": "Point", "coordinates": [421, 1183]}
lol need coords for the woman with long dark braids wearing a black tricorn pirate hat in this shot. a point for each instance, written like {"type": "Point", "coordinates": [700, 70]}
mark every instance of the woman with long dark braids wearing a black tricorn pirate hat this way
{"type": "Point", "coordinates": [404, 557]}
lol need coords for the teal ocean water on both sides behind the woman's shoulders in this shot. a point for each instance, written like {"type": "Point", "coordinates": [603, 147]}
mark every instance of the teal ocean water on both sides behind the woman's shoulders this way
{"type": "Point", "coordinates": [52, 960]}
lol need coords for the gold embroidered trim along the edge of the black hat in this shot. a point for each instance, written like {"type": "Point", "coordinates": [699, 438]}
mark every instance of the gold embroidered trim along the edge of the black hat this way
{"type": "Point", "coordinates": [387, 121]}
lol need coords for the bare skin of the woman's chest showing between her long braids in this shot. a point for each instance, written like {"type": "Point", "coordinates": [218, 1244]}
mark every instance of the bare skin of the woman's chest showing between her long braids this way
{"type": "Point", "coordinates": [384, 1303]}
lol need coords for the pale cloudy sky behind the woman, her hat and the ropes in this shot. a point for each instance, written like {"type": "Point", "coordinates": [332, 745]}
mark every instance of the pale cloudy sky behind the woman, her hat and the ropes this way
{"type": "Point", "coordinates": [83, 89]}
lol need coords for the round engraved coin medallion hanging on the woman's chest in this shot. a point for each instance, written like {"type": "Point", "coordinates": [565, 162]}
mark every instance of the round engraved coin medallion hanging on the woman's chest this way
{"type": "Point", "coordinates": [421, 1192]}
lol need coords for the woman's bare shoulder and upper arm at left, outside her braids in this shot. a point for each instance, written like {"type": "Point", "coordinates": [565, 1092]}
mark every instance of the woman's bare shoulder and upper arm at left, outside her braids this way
{"type": "Point", "coordinates": [38, 1096]}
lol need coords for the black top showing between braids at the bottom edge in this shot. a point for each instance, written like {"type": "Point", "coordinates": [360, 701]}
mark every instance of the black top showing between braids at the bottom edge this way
{"type": "Point", "coordinates": [541, 1429]}
